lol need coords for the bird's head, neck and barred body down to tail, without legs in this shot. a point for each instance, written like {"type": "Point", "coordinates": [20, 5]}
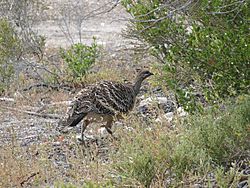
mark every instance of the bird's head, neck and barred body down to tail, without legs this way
{"type": "Point", "coordinates": [104, 98]}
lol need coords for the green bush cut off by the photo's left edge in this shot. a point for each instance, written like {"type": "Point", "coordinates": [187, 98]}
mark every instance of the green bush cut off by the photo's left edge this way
{"type": "Point", "coordinates": [9, 50]}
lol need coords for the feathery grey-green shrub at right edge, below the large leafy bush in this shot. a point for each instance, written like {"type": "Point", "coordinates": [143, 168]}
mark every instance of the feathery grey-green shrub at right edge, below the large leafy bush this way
{"type": "Point", "coordinates": [219, 137]}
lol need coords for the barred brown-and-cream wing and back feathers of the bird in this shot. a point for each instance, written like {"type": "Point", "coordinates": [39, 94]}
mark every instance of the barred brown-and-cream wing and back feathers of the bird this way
{"type": "Point", "coordinates": [104, 98]}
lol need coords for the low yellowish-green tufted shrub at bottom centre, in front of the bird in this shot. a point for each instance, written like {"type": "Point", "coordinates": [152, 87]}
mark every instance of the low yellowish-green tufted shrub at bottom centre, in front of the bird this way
{"type": "Point", "coordinates": [142, 157]}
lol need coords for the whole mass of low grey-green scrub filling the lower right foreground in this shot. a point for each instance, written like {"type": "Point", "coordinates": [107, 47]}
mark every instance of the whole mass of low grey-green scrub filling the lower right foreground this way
{"type": "Point", "coordinates": [213, 143]}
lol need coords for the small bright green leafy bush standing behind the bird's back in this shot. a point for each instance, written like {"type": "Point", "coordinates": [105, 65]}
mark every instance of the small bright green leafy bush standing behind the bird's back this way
{"type": "Point", "coordinates": [79, 58]}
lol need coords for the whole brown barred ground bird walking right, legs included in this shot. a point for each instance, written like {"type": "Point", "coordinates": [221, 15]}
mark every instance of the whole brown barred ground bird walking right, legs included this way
{"type": "Point", "coordinates": [105, 101]}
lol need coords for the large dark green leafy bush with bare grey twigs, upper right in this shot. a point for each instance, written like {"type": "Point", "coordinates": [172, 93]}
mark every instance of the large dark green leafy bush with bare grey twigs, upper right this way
{"type": "Point", "coordinates": [204, 45]}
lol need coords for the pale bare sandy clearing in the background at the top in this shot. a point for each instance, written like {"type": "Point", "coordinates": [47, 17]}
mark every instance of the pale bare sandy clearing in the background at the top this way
{"type": "Point", "coordinates": [106, 26]}
